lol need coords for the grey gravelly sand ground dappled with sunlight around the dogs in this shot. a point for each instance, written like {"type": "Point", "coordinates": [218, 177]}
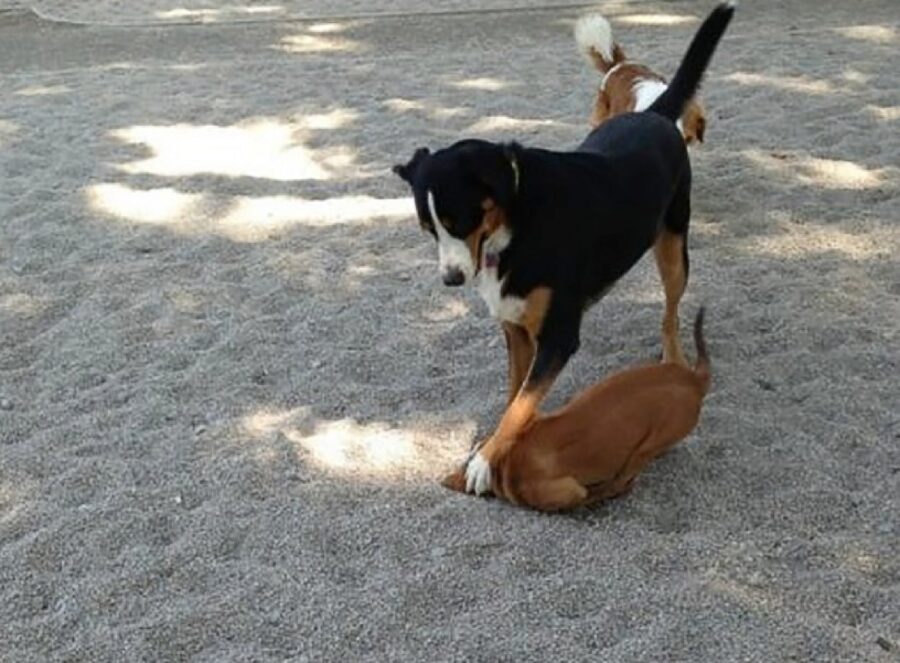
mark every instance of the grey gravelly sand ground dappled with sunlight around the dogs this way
{"type": "Point", "coordinates": [229, 377]}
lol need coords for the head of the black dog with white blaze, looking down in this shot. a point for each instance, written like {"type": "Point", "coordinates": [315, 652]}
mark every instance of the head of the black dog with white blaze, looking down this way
{"type": "Point", "coordinates": [463, 194]}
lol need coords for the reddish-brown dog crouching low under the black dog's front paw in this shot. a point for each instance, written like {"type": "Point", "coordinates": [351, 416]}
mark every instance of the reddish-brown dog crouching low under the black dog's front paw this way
{"type": "Point", "coordinates": [594, 447]}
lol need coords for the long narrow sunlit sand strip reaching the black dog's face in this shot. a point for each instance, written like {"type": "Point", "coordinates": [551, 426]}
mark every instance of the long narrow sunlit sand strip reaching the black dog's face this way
{"type": "Point", "coordinates": [251, 219]}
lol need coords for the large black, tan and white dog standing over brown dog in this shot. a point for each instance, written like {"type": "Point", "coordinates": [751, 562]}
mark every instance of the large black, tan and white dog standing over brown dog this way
{"type": "Point", "coordinates": [545, 234]}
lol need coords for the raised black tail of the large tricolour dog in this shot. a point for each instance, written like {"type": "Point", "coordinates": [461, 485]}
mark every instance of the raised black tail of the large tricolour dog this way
{"type": "Point", "coordinates": [687, 79]}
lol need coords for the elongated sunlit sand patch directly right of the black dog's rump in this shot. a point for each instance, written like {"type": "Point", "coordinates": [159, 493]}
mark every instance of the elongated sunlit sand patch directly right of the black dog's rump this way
{"type": "Point", "coordinates": [824, 173]}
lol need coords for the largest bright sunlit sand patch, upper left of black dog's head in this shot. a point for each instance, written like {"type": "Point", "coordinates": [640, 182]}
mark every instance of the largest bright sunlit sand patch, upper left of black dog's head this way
{"type": "Point", "coordinates": [264, 148]}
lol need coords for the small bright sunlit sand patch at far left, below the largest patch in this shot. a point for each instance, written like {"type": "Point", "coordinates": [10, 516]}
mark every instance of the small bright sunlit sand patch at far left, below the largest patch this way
{"type": "Point", "coordinates": [154, 206]}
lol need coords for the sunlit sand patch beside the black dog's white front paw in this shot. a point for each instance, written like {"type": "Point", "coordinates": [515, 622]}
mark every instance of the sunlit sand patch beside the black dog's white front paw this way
{"type": "Point", "coordinates": [348, 447]}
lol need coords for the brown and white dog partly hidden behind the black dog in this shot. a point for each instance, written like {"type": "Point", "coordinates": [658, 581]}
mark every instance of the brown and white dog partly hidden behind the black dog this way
{"type": "Point", "coordinates": [627, 86]}
